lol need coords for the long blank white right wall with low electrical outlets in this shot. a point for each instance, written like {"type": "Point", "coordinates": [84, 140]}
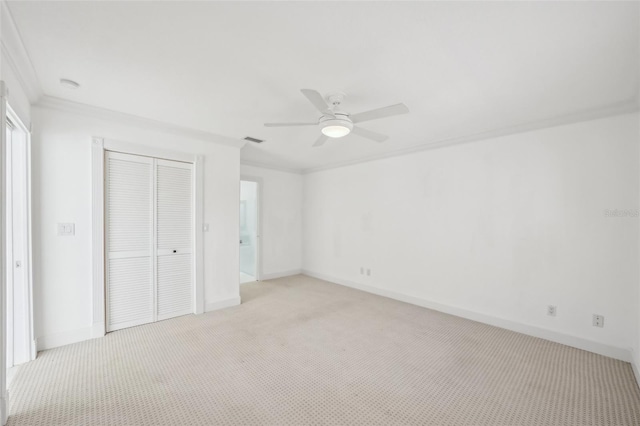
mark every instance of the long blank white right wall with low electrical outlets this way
{"type": "Point", "coordinates": [495, 230]}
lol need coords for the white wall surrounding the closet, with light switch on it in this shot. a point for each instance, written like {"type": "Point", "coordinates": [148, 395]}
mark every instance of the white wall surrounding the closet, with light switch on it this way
{"type": "Point", "coordinates": [62, 193]}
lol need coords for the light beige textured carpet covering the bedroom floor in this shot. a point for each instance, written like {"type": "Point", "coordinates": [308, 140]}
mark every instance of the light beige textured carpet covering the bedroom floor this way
{"type": "Point", "coordinates": [302, 351]}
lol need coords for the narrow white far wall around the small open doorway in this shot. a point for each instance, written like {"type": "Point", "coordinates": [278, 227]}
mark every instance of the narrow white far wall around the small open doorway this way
{"type": "Point", "coordinates": [281, 220]}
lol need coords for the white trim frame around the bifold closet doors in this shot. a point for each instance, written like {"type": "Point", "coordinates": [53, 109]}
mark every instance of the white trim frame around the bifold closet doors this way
{"type": "Point", "coordinates": [99, 147]}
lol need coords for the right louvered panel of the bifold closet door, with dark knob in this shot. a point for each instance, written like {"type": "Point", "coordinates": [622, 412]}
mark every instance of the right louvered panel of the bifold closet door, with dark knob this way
{"type": "Point", "coordinates": [174, 221]}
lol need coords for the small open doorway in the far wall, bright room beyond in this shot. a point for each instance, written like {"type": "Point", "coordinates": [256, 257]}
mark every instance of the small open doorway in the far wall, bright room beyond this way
{"type": "Point", "coordinates": [249, 230]}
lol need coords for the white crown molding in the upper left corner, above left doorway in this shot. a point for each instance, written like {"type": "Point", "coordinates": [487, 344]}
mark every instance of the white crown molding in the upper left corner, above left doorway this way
{"type": "Point", "coordinates": [16, 55]}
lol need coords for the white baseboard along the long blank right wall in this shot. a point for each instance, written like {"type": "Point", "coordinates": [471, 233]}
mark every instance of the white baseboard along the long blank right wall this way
{"type": "Point", "coordinates": [565, 339]}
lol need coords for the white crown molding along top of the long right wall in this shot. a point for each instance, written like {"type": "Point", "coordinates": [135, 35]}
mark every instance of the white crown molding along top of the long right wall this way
{"type": "Point", "coordinates": [625, 107]}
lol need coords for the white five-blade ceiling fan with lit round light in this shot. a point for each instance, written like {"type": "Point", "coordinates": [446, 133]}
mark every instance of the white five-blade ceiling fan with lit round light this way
{"type": "Point", "coordinates": [336, 122]}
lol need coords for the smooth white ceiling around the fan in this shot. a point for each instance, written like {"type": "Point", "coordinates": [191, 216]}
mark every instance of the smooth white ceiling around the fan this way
{"type": "Point", "coordinates": [226, 68]}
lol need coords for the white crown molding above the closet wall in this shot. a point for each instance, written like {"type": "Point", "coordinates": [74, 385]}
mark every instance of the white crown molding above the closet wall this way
{"type": "Point", "coordinates": [51, 102]}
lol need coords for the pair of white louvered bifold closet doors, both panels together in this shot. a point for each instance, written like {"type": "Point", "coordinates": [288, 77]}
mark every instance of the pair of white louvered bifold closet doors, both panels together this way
{"type": "Point", "coordinates": [149, 223]}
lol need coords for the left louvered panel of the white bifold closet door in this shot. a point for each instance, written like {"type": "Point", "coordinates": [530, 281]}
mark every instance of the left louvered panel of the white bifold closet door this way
{"type": "Point", "coordinates": [129, 240]}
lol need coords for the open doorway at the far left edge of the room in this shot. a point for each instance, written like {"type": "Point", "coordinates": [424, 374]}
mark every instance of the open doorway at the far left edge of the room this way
{"type": "Point", "coordinates": [20, 347]}
